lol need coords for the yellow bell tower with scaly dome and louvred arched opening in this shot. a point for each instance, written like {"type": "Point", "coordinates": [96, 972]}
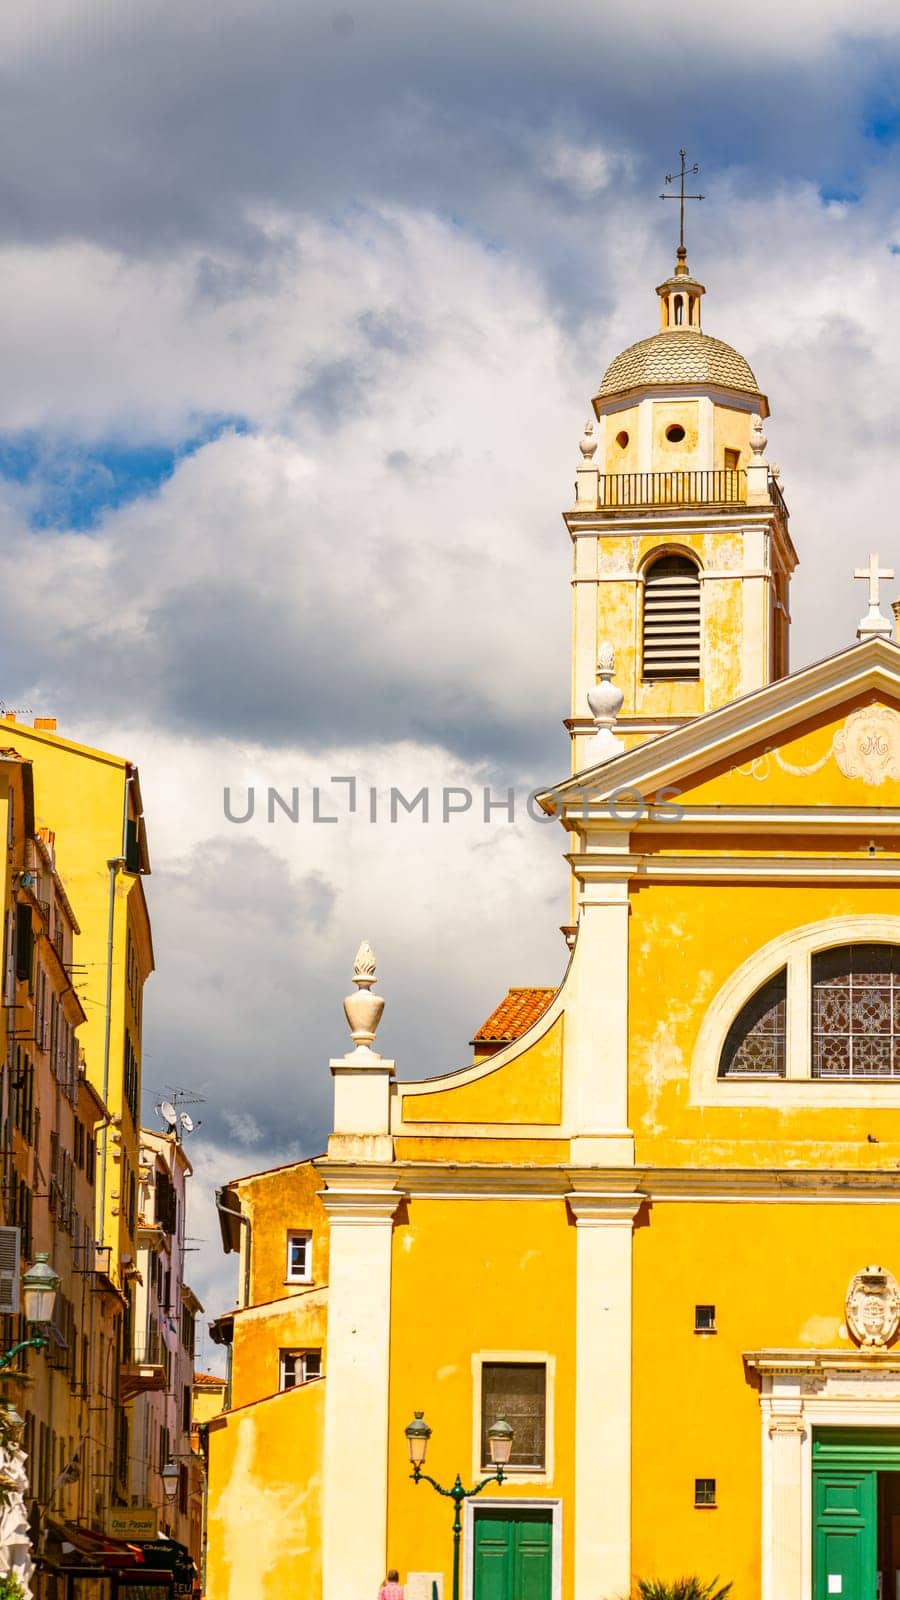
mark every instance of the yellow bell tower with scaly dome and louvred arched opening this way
{"type": "Point", "coordinates": [680, 530]}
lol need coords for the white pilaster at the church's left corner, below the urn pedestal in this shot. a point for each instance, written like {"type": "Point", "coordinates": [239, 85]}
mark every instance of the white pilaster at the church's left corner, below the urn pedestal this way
{"type": "Point", "coordinates": [355, 1468]}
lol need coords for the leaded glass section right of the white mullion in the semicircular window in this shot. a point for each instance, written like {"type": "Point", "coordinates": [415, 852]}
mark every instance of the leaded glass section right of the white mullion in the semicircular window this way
{"type": "Point", "coordinates": [856, 1012]}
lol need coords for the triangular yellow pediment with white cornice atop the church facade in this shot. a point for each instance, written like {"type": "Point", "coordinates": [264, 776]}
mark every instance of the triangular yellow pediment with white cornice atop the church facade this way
{"type": "Point", "coordinates": [827, 737]}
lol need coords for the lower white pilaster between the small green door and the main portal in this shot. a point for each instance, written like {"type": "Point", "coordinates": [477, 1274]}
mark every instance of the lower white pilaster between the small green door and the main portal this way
{"type": "Point", "coordinates": [603, 1394]}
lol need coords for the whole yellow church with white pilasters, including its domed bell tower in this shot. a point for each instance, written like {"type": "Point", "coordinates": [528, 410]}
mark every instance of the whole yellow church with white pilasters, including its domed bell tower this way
{"type": "Point", "coordinates": [657, 1226]}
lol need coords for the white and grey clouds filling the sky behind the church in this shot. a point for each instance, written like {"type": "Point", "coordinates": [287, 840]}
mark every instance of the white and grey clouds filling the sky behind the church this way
{"type": "Point", "coordinates": [376, 580]}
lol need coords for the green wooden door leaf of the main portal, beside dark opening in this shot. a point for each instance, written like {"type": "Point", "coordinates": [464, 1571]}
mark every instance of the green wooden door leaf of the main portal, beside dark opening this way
{"type": "Point", "coordinates": [845, 1545]}
